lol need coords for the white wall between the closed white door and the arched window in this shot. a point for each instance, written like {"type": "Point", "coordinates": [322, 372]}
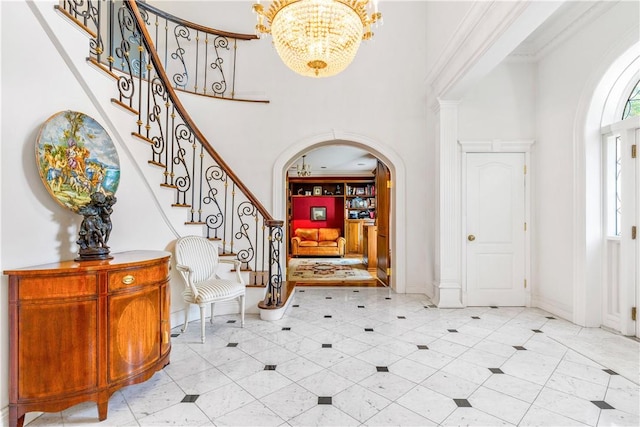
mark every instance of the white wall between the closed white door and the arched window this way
{"type": "Point", "coordinates": [566, 78]}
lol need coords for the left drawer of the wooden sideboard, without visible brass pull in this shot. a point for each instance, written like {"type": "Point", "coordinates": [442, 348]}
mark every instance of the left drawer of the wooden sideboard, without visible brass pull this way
{"type": "Point", "coordinates": [51, 287]}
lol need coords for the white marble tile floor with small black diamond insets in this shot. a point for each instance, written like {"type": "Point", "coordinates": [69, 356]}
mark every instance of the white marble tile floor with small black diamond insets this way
{"type": "Point", "coordinates": [370, 357]}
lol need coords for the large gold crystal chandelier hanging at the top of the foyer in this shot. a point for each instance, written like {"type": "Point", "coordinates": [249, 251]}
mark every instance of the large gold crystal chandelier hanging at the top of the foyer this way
{"type": "Point", "coordinates": [317, 38]}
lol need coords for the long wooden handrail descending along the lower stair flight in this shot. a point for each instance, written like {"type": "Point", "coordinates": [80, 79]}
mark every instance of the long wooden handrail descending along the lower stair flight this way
{"type": "Point", "coordinates": [153, 55]}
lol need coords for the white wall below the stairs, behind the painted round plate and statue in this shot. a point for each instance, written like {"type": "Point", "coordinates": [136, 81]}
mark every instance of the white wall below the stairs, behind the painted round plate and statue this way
{"type": "Point", "coordinates": [34, 229]}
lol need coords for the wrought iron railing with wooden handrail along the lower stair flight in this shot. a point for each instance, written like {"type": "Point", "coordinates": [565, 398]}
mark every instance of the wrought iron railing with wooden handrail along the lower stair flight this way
{"type": "Point", "coordinates": [215, 197]}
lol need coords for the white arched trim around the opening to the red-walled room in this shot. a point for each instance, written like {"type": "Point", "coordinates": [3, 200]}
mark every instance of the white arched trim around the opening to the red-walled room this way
{"type": "Point", "coordinates": [398, 192]}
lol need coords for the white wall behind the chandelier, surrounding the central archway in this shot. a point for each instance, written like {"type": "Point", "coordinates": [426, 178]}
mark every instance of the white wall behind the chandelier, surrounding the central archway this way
{"type": "Point", "coordinates": [375, 97]}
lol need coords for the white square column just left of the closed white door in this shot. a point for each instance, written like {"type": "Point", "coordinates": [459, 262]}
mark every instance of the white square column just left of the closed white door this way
{"type": "Point", "coordinates": [448, 289]}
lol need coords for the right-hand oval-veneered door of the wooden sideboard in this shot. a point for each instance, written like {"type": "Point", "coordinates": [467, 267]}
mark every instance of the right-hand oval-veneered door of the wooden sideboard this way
{"type": "Point", "coordinates": [134, 331]}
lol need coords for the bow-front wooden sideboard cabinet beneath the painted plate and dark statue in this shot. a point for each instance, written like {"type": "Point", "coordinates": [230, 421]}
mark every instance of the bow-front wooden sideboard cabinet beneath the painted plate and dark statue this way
{"type": "Point", "coordinates": [79, 331]}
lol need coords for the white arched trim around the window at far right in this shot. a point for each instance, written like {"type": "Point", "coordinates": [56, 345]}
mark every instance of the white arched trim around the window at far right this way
{"type": "Point", "coordinates": [587, 174]}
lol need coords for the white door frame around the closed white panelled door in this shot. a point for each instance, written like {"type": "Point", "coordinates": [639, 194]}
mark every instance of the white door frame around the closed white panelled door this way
{"type": "Point", "coordinates": [498, 146]}
